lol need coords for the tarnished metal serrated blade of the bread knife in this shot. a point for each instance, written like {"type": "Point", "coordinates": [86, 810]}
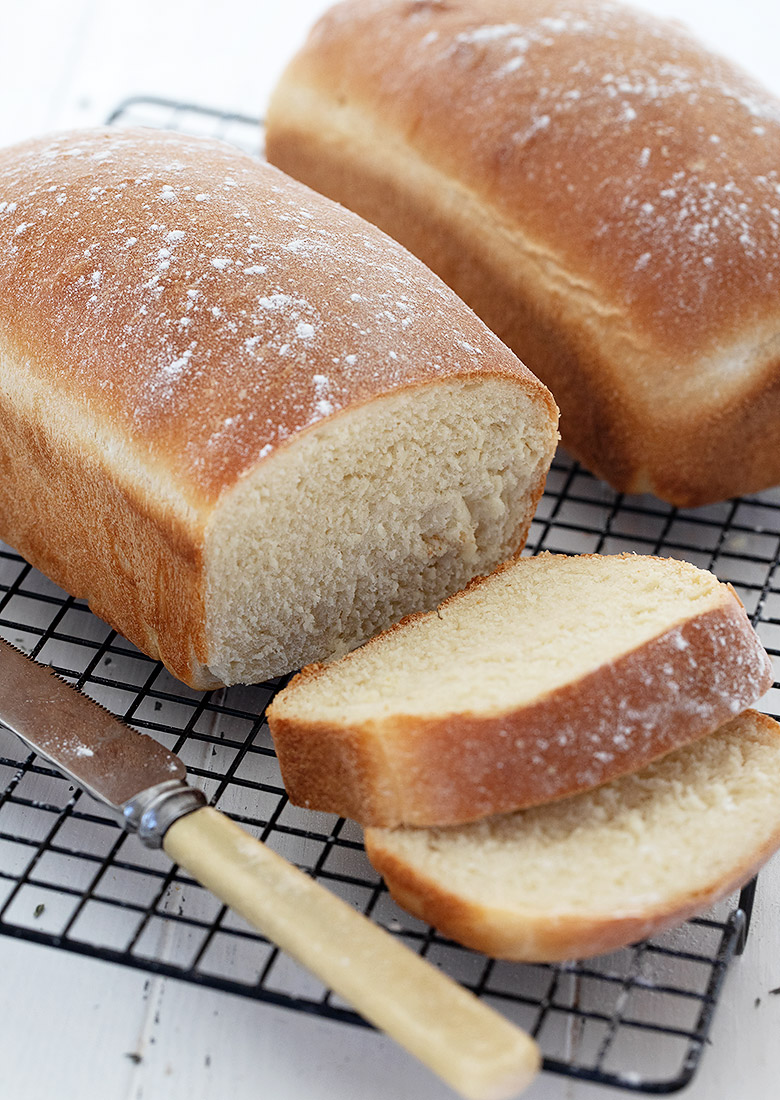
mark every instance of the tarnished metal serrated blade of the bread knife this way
{"type": "Point", "coordinates": [111, 761]}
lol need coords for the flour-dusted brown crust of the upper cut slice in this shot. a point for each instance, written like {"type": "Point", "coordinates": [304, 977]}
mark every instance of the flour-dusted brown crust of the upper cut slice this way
{"type": "Point", "coordinates": [456, 768]}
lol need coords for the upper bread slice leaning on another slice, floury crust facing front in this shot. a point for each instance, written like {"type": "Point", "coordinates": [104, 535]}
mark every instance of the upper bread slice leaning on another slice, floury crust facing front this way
{"type": "Point", "coordinates": [550, 677]}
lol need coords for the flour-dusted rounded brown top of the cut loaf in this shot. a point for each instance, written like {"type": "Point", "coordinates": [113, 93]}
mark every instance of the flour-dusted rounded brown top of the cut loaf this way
{"type": "Point", "coordinates": [207, 306]}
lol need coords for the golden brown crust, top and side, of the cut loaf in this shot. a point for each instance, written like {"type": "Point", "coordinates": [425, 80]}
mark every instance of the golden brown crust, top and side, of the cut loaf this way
{"type": "Point", "coordinates": [171, 313]}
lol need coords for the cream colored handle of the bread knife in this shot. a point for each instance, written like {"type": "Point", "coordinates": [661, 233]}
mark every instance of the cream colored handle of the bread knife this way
{"type": "Point", "coordinates": [477, 1051]}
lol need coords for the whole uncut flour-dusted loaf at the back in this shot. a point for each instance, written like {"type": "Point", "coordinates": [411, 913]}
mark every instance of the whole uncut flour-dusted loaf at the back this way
{"type": "Point", "coordinates": [600, 189]}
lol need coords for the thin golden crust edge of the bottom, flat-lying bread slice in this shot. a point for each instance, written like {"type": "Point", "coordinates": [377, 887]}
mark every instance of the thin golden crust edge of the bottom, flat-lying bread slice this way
{"type": "Point", "coordinates": [535, 937]}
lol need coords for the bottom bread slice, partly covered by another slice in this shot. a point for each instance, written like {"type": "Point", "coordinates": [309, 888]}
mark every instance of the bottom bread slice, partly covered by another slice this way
{"type": "Point", "coordinates": [603, 870]}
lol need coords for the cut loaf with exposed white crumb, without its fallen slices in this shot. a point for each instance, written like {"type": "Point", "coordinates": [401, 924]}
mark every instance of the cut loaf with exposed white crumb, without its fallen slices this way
{"type": "Point", "coordinates": [244, 424]}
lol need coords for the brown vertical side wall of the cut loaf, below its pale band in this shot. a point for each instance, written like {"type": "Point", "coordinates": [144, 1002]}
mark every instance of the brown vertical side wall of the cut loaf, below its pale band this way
{"type": "Point", "coordinates": [140, 569]}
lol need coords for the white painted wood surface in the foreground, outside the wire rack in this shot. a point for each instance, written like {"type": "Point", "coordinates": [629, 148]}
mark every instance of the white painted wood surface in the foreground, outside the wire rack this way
{"type": "Point", "coordinates": [190, 1039]}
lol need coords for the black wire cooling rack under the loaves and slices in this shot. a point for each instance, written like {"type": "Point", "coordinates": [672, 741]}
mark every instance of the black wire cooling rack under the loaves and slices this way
{"type": "Point", "coordinates": [71, 878]}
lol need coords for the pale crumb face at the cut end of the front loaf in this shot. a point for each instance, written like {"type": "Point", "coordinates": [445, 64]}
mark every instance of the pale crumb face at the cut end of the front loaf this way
{"type": "Point", "coordinates": [407, 500]}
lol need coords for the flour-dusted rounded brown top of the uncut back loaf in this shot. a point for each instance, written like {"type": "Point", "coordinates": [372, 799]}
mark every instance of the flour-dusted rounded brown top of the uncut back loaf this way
{"type": "Point", "coordinates": [644, 164]}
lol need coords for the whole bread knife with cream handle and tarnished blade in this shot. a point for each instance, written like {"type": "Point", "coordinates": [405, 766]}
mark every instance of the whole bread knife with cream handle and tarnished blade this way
{"type": "Point", "coordinates": [474, 1049]}
